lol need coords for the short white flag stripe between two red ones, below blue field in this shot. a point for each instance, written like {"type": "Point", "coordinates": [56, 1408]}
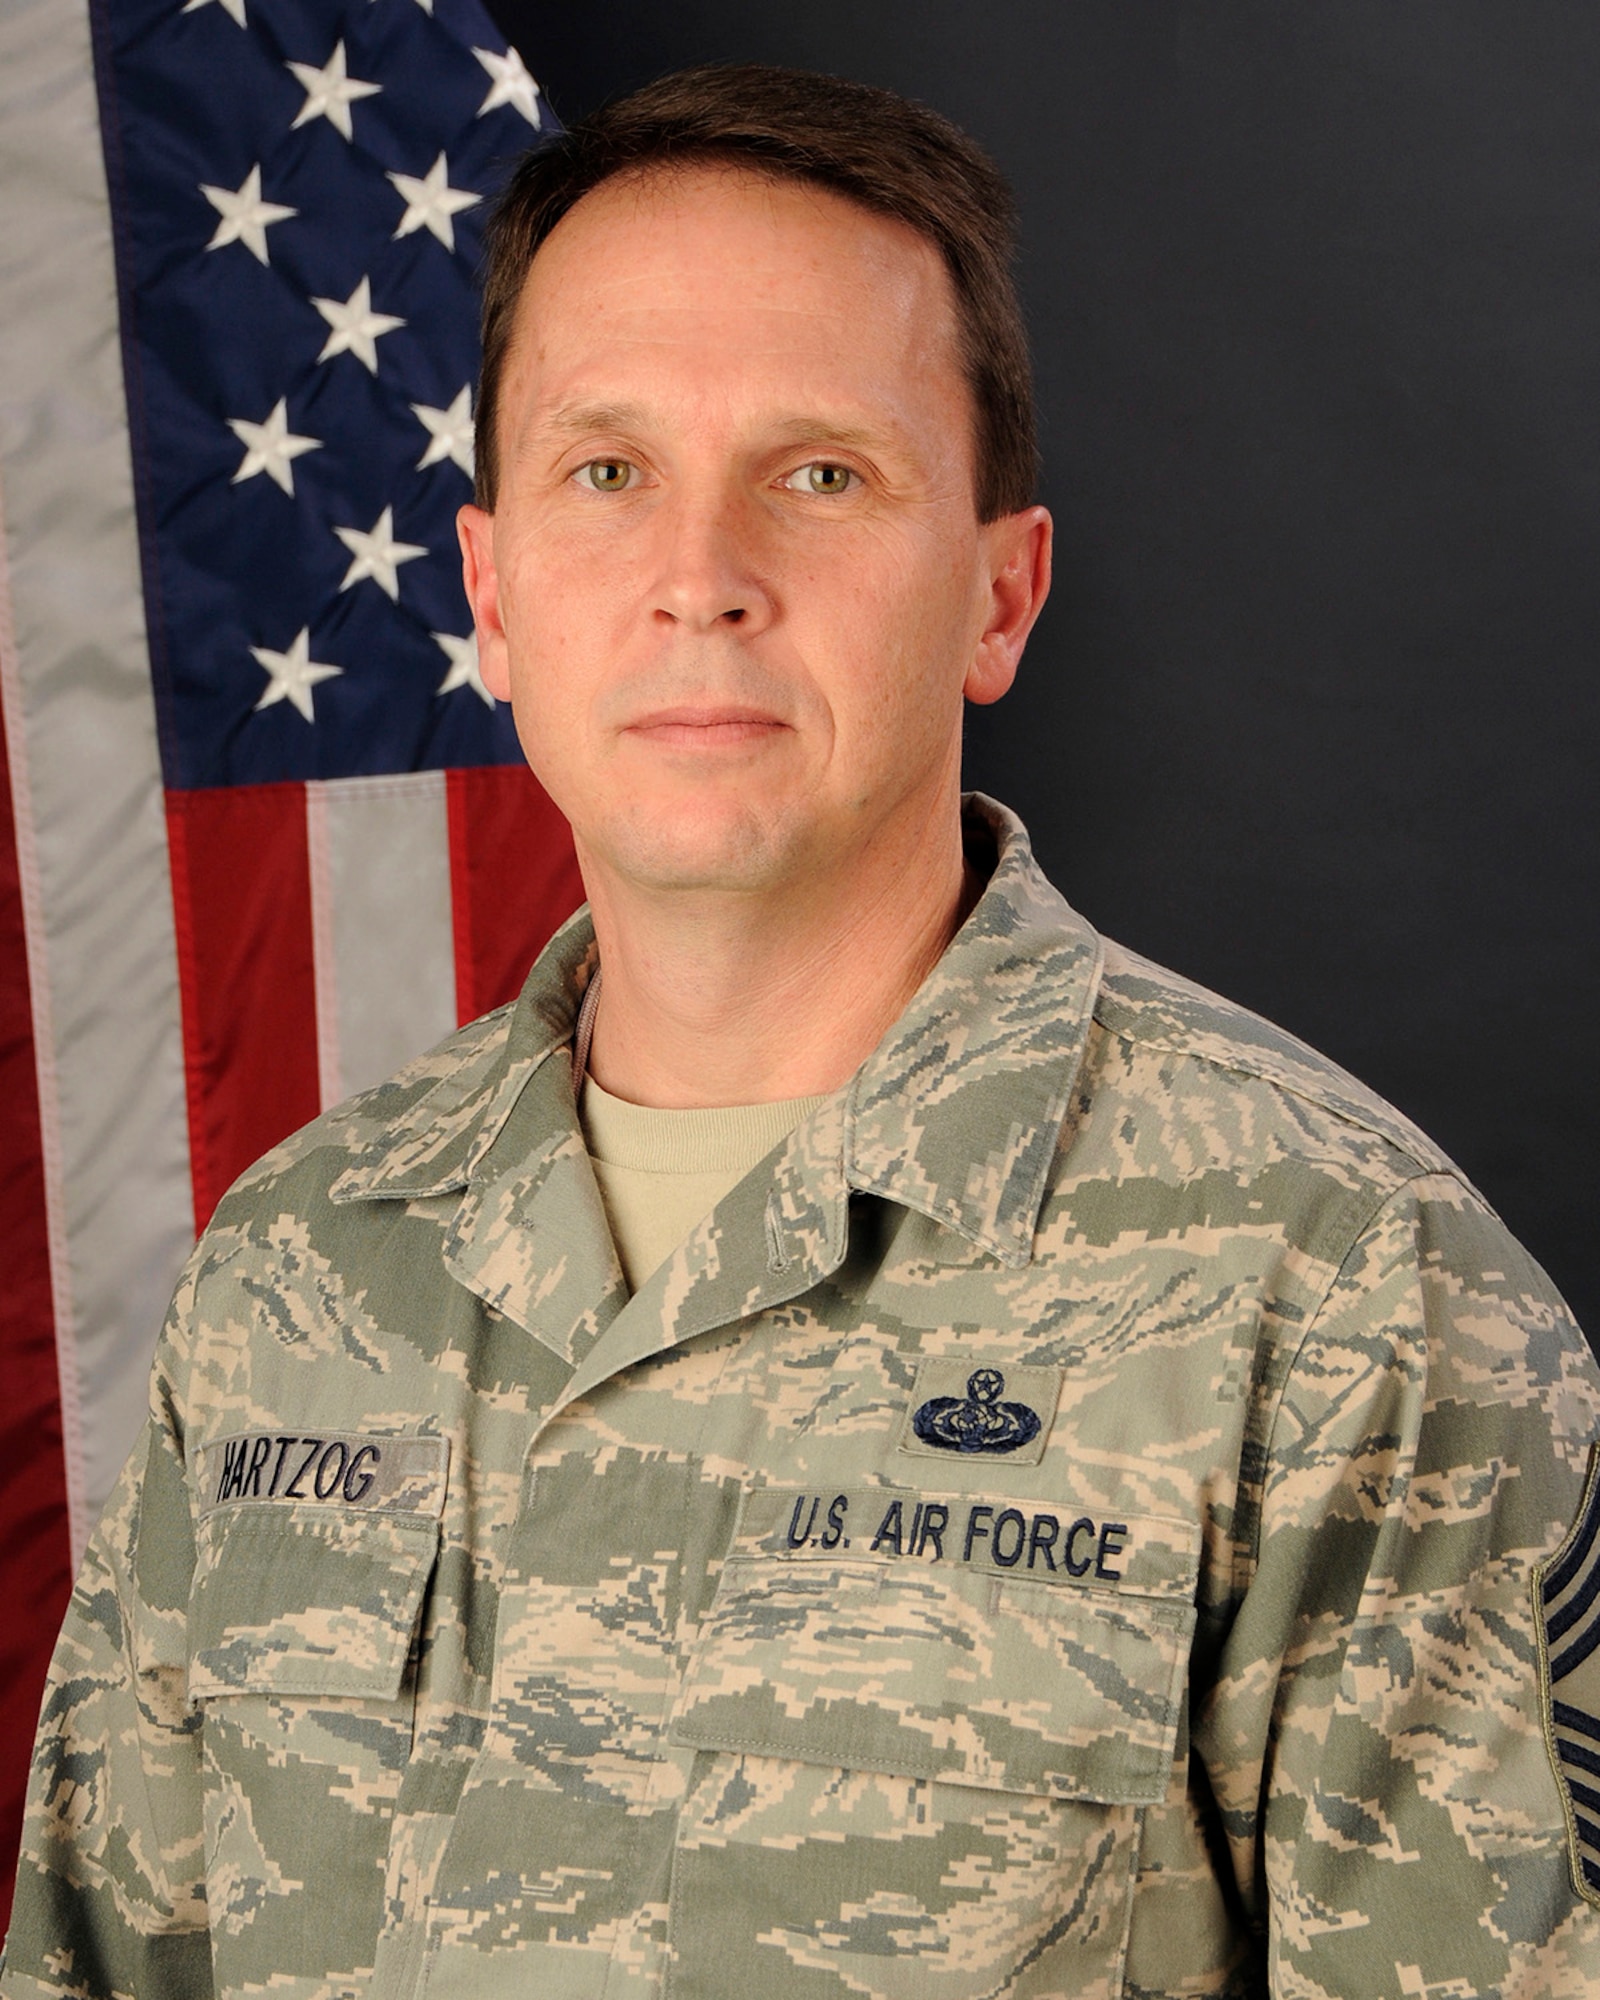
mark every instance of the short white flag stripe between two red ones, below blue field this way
{"type": "Point", "coordinates": [381, 925]}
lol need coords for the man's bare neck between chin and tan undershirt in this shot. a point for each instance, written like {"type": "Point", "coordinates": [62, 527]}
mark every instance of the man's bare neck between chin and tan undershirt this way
{"type": "Point", "coordinates": [745, 999]}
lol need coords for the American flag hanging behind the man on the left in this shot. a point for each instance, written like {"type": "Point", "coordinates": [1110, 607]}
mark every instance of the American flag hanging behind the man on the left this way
{"type": "Point", "coordinates": [267, 831]}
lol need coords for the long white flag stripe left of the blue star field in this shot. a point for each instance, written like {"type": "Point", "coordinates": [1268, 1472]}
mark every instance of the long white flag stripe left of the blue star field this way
{"type": "Point", "coordinates": [83, 725]}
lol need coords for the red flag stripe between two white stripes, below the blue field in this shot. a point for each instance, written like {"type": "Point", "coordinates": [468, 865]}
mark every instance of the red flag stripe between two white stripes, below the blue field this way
{"type": "Point", "coordinates": [243, 913]}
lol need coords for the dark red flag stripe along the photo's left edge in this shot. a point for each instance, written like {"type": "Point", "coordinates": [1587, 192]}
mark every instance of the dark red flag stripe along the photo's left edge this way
{"type": "Point", "coordinates": [35, 1555]}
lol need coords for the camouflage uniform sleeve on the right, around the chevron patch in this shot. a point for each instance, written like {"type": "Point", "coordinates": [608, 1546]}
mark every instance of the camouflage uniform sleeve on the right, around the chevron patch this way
{"type": "Point", "coordinates": [1377, 1733]}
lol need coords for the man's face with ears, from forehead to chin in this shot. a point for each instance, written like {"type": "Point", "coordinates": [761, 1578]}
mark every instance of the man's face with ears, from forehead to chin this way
{"type": "Point", "coordinates": [735, 583]}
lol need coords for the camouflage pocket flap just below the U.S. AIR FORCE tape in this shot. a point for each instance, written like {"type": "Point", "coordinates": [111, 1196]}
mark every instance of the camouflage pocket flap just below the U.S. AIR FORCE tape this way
{"type": "Point", "coordinates": [943, 1671]}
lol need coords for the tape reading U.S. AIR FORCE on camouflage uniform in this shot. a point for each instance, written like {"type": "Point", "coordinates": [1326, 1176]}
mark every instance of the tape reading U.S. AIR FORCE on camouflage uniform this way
{"type": "Point", "coordinates": [1059, 1543]}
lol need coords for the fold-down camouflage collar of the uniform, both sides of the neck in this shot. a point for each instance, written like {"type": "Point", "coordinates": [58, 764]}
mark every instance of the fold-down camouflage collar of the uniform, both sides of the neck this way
{"type": "Point", "coordinates": [955, 1115]}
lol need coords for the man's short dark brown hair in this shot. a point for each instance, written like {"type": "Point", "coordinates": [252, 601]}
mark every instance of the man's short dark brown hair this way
{"type": "Point", "coordinates": [873, 147]}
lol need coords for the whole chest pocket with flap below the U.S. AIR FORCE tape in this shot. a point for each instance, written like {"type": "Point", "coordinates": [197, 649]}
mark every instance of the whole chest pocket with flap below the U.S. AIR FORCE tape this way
{"type": "Point", "coordinates": [921, 1779]}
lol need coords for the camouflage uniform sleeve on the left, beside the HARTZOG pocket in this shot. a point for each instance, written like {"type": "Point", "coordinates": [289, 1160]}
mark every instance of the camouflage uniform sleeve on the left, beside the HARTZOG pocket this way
{"type": "Point", "coordinates": [111, 1883]}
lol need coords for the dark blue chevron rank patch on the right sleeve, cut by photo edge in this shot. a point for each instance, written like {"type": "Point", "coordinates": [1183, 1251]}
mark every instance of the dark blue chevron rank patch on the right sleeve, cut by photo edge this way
{"type": "Point", "coordinates": [1569, 1639]}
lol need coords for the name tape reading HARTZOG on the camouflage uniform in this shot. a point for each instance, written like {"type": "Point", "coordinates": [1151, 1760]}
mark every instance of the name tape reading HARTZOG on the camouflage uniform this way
{"type": "Point", "coordinates": [369, 1471]}
